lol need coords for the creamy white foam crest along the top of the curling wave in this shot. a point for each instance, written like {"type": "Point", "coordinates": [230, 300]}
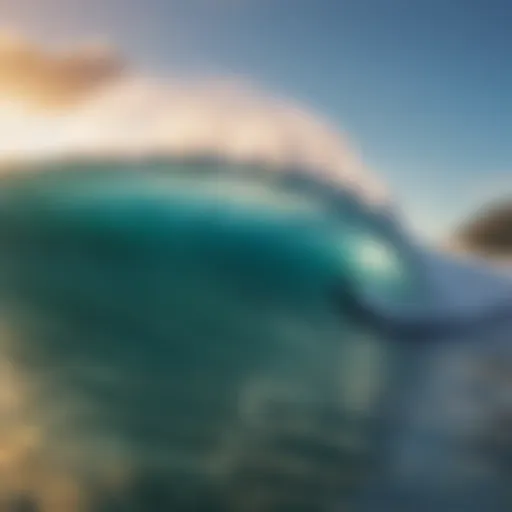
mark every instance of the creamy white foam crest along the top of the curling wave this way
{"type": "Point", "coordinates": [136, 116]}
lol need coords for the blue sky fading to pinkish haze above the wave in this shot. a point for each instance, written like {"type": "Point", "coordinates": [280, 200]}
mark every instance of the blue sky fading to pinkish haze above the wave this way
{"type": "Point", "coordinates": [421, 88]}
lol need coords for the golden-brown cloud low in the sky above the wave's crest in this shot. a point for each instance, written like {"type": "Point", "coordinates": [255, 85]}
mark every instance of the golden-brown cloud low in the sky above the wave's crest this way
{"type": "Point", "coordinates": [53, 79]}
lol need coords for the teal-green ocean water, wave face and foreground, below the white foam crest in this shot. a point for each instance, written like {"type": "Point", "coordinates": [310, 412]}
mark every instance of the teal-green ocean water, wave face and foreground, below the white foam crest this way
{"type": "Point", "coordinates": [181, 336]}
